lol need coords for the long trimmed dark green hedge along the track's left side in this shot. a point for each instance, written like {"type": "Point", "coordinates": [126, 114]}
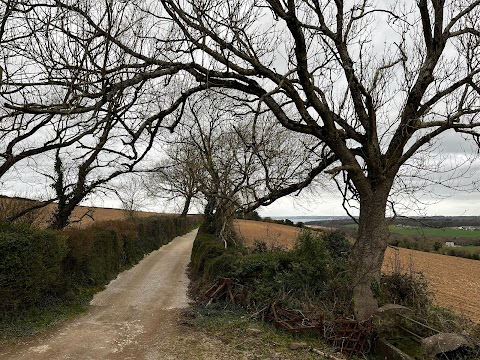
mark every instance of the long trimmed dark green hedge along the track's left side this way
{"type": "Point", "coordinates": [38, 263]}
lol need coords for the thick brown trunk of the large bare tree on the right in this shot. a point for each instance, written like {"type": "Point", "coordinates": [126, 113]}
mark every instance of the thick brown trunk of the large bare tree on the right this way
{"type": "Point", "coordinates": [367, 254]}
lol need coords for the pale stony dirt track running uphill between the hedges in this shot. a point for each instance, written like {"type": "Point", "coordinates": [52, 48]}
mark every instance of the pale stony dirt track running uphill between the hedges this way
{"type": "Point", "coordinates": [136, 317]}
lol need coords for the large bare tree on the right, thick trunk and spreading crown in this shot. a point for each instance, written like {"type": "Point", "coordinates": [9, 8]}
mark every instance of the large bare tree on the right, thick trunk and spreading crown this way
{"type": "Point", "coordinates": [376, 82]}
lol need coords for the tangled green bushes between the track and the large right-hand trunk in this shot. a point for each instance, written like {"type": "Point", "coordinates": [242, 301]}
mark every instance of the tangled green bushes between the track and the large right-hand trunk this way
{"type": "Point", "coordinates": [316, 267]}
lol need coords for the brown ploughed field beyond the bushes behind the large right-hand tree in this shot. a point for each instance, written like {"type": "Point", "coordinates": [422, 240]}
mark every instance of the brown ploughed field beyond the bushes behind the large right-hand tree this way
{"type": "Point", "coordinates": [454, 281]}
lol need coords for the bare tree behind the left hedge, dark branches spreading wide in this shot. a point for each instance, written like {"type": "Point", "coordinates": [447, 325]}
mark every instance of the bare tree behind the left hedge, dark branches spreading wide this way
{"type": "Point", "coordinates": [73, 81]}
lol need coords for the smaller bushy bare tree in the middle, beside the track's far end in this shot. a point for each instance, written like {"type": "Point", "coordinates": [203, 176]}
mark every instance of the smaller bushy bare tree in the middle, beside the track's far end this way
{"type": "Point", "coordinates": [238, 160]}
